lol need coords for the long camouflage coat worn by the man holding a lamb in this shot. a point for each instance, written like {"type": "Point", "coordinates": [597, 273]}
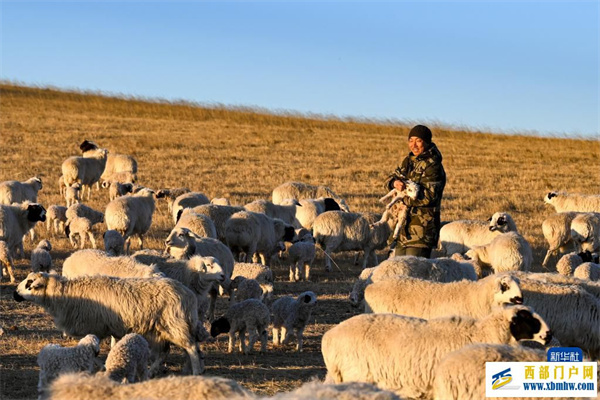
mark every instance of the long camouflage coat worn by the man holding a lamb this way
{"type": "Point", "coordinates": [422, 226]}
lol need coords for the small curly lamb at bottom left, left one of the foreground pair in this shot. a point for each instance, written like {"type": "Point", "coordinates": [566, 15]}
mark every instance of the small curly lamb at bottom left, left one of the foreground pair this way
{"type": "Point", "coordinates": [55, 360]}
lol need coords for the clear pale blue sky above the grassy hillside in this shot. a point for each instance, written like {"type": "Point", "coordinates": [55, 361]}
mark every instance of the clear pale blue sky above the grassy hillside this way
{"type": "Point", "coordinates": [506, 66]}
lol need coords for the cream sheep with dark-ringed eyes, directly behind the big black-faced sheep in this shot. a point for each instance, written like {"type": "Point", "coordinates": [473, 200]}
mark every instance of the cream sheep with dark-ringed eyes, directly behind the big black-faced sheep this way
{"type": "Point", "coordinates": [425, 299]}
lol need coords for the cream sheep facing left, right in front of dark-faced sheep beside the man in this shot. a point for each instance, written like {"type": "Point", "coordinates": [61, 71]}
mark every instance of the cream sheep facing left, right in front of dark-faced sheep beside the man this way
{"type": "Point", "coordinates": [507, 252]}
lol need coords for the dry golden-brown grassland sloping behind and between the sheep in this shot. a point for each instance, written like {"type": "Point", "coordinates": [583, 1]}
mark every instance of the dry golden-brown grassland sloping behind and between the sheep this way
{"type": "Point", "coordinates": [242, 154]}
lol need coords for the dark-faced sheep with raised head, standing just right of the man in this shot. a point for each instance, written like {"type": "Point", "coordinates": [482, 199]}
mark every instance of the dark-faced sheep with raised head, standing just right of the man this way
{"type": "Point", "coordinates": [460, 236]}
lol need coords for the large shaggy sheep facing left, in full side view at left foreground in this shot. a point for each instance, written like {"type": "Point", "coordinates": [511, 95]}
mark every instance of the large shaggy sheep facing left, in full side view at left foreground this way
{"type": "Point", "coordinates": [109, 306]}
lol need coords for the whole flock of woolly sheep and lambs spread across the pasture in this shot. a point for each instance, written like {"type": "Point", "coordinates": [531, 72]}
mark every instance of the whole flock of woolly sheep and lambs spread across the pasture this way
{"type": "Point", "coordinates": [477, 302]}
